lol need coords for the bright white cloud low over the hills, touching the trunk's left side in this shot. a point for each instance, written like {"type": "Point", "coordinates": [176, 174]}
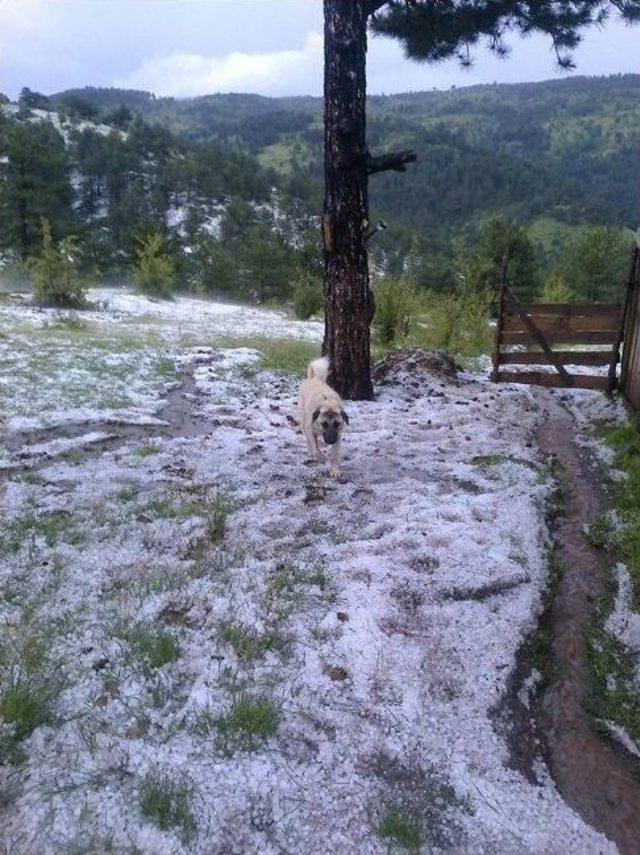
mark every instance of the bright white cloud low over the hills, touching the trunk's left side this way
{"type": "Point", "coordinates": [277, 73]}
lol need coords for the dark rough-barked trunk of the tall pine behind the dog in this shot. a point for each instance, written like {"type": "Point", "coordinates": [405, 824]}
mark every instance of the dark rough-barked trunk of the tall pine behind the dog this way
{"type": "Point", "coordinates": [348, 298]}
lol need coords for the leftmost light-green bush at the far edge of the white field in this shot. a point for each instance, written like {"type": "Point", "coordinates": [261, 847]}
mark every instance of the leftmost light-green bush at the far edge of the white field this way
{"type": "Point", "coordinates": [54, 272]}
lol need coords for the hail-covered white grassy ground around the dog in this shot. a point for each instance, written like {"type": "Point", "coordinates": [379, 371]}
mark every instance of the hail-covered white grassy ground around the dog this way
{"type": "Point", "coordinates": [384, 610]}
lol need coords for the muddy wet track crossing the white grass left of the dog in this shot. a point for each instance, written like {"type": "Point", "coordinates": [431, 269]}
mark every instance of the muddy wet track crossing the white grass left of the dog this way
{"type": "Point", "coordinates": [175, 418]}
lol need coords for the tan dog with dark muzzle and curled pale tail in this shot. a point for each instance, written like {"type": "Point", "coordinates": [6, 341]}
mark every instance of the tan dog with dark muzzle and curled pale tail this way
{"type": "Point", "coordinates": [321, 413]}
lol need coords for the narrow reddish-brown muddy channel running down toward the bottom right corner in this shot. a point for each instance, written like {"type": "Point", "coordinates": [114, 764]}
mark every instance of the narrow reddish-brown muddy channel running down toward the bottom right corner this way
{"type": "Point", "coordinates": [600, 783]}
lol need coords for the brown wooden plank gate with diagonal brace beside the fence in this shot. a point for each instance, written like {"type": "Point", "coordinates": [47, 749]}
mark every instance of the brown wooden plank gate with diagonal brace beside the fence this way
{"type": "Point", "coordinates": [558, 336]}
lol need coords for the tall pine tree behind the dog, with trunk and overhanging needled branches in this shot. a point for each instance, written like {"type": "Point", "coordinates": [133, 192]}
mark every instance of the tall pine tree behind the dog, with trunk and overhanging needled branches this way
{"type": "Point", "coordinates": [430, 31]}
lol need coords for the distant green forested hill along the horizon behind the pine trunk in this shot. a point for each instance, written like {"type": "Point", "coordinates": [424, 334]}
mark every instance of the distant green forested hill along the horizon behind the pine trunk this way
{"type": "Point", "coordinates": [567, 149]}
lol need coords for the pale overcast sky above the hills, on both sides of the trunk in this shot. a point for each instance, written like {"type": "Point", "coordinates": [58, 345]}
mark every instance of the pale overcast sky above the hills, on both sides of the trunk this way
{"type": "Point", "coordinates": [272, 47]}
